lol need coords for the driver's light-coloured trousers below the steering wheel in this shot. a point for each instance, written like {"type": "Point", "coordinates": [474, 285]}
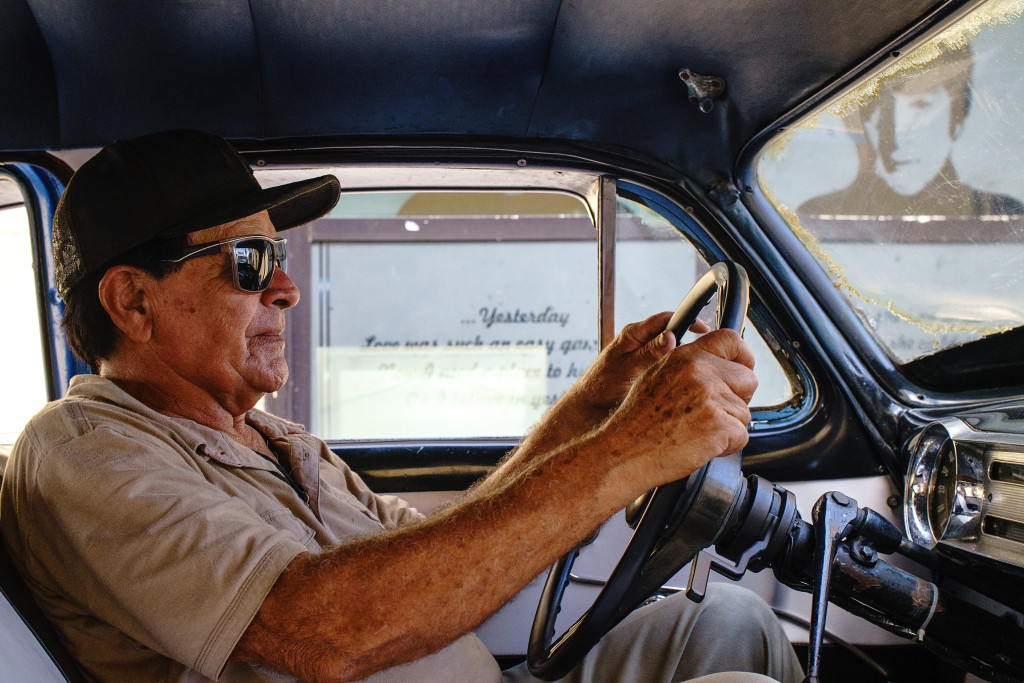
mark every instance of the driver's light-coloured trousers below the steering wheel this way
{"type": "Point", "coordinates": [732, 637]}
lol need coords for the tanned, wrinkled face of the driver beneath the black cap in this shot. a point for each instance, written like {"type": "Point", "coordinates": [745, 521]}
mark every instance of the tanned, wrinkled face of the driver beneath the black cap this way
{"type": "Point", "coordinates": [217, 337]}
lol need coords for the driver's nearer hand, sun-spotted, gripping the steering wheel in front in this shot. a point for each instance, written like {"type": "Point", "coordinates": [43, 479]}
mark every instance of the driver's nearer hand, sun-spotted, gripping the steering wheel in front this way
{"type": "Point", "coordinates": [689, 407]}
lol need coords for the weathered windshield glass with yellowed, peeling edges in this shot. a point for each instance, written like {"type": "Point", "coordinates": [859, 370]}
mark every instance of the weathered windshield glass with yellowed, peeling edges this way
{"type": "Point", "coordinates": [910, 190]}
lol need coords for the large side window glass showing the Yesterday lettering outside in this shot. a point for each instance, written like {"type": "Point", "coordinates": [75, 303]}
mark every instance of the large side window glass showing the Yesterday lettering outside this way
{"type": "Point", "coordinates": [449, 314]}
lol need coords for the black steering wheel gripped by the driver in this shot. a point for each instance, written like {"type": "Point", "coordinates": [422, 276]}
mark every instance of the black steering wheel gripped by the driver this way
{"type": "Point", "coordinates": [676, 521]}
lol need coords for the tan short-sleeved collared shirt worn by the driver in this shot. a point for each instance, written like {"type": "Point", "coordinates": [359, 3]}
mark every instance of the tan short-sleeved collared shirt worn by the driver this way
{"type": "Point", "coordinates": [151, 542]}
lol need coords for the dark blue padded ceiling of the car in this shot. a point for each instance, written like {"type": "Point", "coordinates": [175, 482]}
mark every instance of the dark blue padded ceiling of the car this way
{"type": "Point", "coordinates": [82, 73]}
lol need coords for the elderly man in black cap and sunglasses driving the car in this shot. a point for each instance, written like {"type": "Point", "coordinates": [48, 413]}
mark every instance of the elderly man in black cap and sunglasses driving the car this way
{"type": "Point", "coordinates": [172, 532]}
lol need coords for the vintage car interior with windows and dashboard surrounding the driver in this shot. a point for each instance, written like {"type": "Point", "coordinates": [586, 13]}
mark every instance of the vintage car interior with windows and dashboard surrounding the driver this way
{"type": "Point", "coordinates": [839, 182]}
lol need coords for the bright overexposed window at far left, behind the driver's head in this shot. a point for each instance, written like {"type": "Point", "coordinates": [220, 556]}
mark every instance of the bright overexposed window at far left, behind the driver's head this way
{"type": "Point", "coordinates": [21, 348]}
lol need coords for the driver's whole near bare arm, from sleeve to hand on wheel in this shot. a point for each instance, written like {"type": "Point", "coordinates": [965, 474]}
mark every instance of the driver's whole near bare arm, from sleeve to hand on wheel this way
{"type": "Point", "coordinates": [393, 599]}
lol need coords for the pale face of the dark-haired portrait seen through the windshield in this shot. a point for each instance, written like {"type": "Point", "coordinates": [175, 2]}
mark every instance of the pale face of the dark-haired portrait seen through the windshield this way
{"type": "Point", "coordinates": [911, 134]}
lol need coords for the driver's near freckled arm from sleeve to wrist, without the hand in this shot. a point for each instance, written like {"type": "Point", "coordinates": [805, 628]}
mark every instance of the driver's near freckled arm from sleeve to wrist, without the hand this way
{"type": "Point", "coordinates": [393, 599]}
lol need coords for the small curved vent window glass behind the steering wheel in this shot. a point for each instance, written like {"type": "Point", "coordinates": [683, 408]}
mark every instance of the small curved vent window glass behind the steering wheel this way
{"type": "Point", "coordinates": [656, 267]}
